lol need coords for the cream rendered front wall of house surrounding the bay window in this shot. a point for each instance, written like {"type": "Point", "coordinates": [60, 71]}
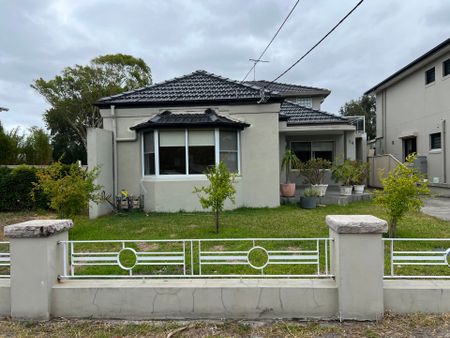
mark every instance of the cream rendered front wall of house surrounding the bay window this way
{"type": "Point", "coordinates": [257, 184]}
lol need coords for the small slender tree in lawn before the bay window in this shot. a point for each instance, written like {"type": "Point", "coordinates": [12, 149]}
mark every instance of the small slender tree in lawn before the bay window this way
{"type": "Point", "coordinates": [219, 190]}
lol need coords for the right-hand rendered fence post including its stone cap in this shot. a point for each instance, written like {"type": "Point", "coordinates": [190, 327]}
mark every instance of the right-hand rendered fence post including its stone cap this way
{"type": "Point", "coordinates": [358, 264]}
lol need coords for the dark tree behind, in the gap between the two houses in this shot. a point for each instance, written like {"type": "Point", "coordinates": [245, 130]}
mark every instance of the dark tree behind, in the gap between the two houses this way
{"type": "Point", "coordinates": [364, 106]}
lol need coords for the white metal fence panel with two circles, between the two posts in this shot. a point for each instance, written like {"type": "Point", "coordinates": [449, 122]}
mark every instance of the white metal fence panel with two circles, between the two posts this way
{"type": "Point", "coordinates": [198, 258]}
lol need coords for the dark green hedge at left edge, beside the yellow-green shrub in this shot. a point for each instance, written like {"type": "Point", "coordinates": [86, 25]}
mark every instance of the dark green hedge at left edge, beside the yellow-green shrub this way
{"type": "Point", "coordinates": [16, 186]}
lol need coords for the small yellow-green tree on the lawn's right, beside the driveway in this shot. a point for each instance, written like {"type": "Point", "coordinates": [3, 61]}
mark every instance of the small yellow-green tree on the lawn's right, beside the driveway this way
{"type": "Point", "coordinates": [404, 190]}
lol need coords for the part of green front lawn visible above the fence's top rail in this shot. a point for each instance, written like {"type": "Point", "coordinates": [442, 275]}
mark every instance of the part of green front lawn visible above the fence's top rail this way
{"type": "Point", "coordinates": [285, 221]}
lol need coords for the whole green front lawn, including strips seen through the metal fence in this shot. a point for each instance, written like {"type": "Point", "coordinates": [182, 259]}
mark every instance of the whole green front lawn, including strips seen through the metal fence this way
{"type": "Point", "coordinates": [285, 221]}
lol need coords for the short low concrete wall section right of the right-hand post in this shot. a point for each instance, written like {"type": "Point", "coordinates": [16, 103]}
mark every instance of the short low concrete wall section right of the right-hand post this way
{"type": "Point", "coordinates": [410, 296]}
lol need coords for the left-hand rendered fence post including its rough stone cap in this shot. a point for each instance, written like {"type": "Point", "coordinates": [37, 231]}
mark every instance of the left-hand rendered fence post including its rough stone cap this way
{"type": "Point", "coordinates": [36, 262]}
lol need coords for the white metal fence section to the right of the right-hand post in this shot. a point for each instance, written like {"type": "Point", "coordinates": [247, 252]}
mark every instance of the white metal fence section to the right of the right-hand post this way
{"type": "Point", "coordinates": [417, 258]}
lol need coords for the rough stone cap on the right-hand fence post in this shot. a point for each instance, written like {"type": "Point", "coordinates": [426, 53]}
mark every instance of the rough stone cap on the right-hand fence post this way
{"type": "Point", "coordinates": [356, 224]}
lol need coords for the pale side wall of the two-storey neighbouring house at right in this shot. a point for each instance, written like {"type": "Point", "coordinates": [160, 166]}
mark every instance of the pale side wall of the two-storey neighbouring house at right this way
{"type": "Point", "coordinates": [409, 107]}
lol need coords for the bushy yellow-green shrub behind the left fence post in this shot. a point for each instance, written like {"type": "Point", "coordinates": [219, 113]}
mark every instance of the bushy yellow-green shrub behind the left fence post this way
{"type": "Point", "coordinates": [69, 189]}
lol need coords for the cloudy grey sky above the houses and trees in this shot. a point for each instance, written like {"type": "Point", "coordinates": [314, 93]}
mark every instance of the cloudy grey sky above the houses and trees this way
{"type": "Point", "coordinates": [174, 37]}
